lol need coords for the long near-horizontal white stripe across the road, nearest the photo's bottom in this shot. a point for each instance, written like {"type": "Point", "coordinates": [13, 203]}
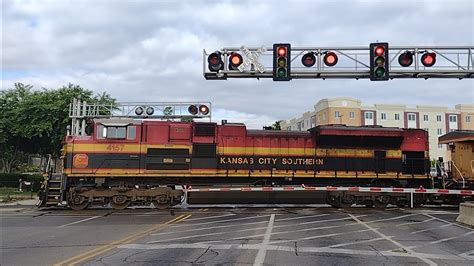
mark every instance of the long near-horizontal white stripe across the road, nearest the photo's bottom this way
{"type": "Point", "coordinates": [292, 249]}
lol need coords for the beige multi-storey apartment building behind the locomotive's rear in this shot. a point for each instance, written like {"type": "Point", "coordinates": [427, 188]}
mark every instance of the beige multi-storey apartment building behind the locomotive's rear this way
{"type": "Point", "coordinates": [437, 120]}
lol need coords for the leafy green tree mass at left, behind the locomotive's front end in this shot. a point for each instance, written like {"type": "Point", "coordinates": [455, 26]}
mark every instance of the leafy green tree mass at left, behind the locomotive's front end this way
{"type": "Point", "coordinates": [35, 121]}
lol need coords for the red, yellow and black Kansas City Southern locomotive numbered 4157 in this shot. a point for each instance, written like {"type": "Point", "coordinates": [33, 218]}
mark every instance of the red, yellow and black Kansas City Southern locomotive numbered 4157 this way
{"type": "Point", "coordinates": [136, 161]}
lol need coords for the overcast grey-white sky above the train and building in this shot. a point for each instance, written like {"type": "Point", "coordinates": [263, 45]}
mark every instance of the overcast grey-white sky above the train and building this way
{"type": "Point", "coordinates": [152, 50]}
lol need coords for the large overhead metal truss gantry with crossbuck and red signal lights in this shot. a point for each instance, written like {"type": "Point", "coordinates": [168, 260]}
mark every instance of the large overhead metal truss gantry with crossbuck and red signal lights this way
{"type": "Point", "coordinates": [359, 62]}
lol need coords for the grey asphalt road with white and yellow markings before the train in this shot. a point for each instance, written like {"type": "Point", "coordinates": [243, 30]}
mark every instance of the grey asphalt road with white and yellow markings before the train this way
{"type": "Point", "coordinates": [272, 235]}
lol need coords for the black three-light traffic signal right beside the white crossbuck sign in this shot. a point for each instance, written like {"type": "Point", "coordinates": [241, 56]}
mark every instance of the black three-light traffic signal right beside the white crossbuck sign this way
{"type": "Point", "coordinates": [281, 62]}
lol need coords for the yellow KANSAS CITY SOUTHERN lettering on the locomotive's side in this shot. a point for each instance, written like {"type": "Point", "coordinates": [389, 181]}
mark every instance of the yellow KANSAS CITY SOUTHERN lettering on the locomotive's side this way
{"type": "Point", "coordinates": [270, 161]}
